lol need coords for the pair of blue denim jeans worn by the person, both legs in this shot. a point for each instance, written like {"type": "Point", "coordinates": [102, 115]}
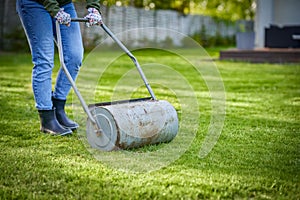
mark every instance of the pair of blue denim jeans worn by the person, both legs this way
{"type": "Point", "coordinates": [40, 30]}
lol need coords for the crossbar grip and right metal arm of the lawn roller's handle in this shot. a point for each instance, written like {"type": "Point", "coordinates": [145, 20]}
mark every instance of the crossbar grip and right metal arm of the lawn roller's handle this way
{"type": "Point", "coordinates": [121, 45]}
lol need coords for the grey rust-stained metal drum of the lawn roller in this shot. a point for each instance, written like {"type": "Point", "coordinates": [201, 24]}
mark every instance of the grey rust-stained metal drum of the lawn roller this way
{"type": "Point", "coordinates": [132, 124]}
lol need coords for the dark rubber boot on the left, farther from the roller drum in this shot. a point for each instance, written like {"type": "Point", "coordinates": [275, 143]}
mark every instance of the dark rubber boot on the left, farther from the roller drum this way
{"type": "Point", "coordinates": [49, 123]}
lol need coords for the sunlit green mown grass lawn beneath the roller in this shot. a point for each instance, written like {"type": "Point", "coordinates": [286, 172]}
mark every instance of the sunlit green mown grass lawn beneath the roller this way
{"type": "Point", "coordinates": [256, 156]}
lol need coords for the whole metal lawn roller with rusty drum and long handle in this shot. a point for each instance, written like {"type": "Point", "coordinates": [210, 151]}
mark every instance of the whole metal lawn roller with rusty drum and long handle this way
{"type": "Point", "coordinates": [125, 124]}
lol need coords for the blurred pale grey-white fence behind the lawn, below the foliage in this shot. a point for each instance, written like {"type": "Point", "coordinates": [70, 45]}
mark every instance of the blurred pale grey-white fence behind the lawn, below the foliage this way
{"type": "Point", "coordinates": [122, 19]}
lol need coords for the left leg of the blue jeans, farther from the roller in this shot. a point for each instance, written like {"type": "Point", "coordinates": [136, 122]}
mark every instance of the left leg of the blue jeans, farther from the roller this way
{"type": "Point", "coordinates": [38, 27]}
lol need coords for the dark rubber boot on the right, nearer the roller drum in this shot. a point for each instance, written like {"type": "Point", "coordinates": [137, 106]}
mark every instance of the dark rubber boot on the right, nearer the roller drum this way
{"type": "Point", "coordinates": [61, 116]}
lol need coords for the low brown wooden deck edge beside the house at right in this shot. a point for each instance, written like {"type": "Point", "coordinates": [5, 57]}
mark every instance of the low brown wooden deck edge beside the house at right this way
{"type": "Point", "coordinates": [265, 55]}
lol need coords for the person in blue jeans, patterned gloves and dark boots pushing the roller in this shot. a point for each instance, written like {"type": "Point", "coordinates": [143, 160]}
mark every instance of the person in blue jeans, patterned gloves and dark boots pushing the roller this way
{"type": "Point", "coordinates": [38, 18]}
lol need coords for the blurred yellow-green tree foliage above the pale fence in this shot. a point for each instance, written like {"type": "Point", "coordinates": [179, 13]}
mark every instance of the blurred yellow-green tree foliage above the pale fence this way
{"type": "Point", "coordinates": [224, 9]}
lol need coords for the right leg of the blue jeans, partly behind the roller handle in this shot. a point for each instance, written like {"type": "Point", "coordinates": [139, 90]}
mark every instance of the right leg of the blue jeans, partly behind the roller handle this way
{"type": "Point", "coordinates": [73, 54]}
